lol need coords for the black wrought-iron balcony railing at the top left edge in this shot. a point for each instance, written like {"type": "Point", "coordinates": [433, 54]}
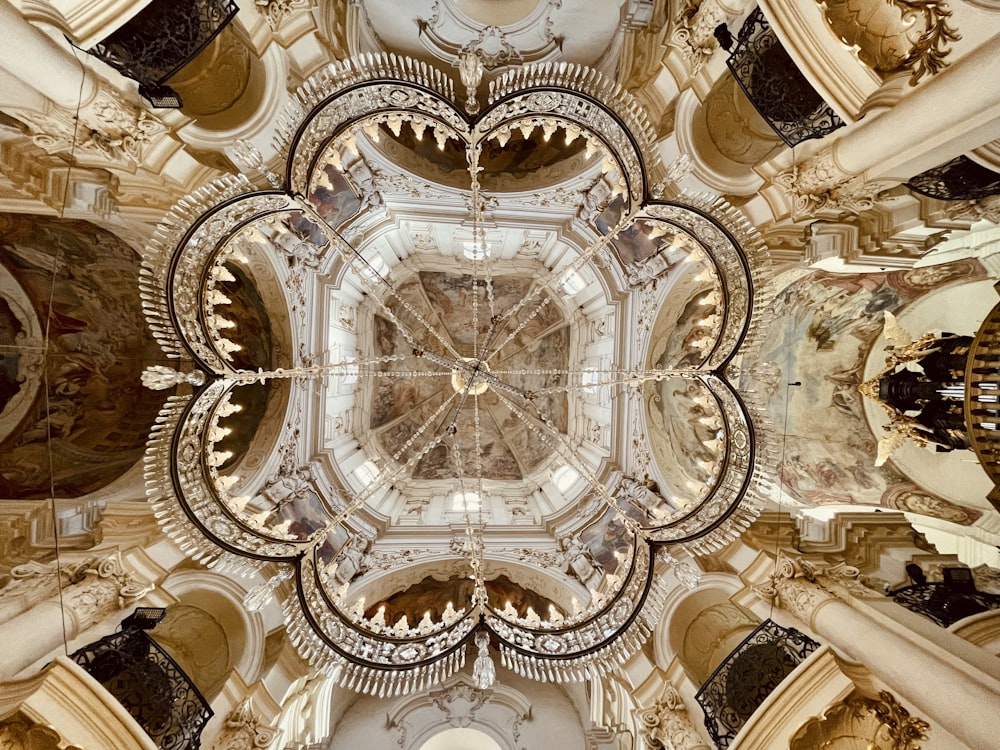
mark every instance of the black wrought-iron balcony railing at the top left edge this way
{"type": "Point", "coordinates": [162, 38]}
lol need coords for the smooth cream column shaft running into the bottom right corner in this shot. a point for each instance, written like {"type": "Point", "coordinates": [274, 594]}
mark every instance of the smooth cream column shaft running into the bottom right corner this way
{"type": "Point", "coordinates": [947, 691]}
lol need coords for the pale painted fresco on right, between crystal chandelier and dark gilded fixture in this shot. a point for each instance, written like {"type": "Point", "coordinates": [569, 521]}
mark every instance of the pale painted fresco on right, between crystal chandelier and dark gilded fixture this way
{"type": "Point", "coordinates": [825, 325]}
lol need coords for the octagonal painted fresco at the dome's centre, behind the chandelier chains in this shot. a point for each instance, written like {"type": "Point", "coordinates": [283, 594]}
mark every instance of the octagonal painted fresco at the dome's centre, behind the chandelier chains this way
{"type": "Point", "coordinates": [400, 405]}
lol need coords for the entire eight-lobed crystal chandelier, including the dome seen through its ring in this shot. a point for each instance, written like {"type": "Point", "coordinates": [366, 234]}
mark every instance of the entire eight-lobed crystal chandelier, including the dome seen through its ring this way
{"type": "Point", "coordinates": [591, 336]}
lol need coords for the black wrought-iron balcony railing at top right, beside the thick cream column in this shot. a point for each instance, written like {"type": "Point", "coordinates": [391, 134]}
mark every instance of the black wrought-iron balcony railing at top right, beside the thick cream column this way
{"type": "Point", "coordinates": [776, 87]}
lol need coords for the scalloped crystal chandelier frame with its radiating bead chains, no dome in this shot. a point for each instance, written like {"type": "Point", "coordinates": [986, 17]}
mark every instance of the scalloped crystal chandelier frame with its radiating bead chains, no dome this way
{"type": "Point", "coordinates": [191, 497]}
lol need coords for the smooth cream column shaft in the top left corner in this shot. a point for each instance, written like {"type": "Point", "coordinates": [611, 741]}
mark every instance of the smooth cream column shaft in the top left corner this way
{"type": "Point", "coordinates": [37, 59]}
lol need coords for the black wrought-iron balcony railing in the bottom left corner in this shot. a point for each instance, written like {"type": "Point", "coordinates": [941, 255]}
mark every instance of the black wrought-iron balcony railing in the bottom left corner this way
{"type": "Point", "coordinates": [150, 685]}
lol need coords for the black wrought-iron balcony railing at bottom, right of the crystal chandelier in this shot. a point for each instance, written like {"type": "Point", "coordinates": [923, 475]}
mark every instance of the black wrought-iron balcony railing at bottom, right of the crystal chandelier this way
{"type": "Point", "coordinates": [748, 675]}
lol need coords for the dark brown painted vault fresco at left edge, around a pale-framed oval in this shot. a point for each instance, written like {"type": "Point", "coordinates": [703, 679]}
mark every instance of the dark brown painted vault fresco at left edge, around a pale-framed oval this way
{"type": "Point", "coordinates": [92, 410]}
